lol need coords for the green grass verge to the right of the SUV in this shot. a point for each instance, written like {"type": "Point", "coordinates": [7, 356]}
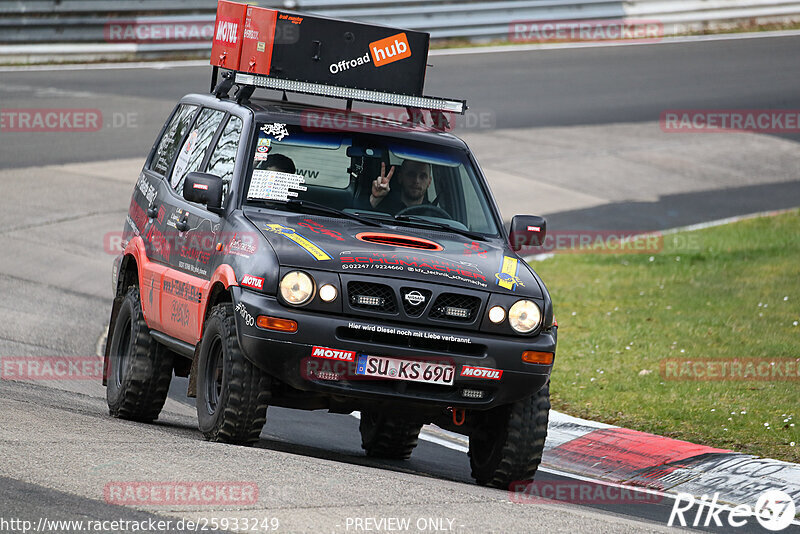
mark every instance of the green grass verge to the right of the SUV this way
{"type": "Point", "coordinates": [726, 292]}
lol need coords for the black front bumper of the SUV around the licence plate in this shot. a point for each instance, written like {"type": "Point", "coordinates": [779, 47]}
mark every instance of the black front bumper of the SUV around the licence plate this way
{"type": "Point", "coordinates": [287, 356]}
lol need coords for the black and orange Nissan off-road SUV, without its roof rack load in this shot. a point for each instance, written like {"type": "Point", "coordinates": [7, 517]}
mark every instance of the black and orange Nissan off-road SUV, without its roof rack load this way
{"type": "Point", "coordinates": [267, 260]}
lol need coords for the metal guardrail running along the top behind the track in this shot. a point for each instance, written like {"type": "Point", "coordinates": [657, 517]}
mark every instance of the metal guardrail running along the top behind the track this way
{"type": "Point", "coordinates": [56, 30]}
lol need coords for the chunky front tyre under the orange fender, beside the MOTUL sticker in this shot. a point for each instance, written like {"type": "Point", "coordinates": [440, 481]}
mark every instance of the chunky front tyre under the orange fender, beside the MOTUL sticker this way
{"type": "Point", "coordinates": [232, 393]}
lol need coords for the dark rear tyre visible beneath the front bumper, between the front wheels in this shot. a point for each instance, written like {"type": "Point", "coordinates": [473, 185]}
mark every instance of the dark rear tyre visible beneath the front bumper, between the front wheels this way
{"type": "Point", "coordinates": [383, 436]}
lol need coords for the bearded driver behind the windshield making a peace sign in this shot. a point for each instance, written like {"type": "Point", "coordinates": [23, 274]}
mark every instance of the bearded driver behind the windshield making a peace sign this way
{"type": "Point", "coordinates": [414, 178]}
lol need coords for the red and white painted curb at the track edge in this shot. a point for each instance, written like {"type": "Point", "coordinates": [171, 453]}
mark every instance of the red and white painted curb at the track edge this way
{"type": "Point", "coordinates": [619, 456]}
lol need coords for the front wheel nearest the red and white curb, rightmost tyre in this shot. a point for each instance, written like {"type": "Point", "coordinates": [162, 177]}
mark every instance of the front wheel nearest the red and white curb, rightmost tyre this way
{"type": "Point", "coordinates": [508, 443]}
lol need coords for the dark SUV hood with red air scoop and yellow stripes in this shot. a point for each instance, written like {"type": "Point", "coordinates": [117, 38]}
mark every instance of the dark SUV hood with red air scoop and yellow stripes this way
{"type": "Point", "coordinates": [346, 246]}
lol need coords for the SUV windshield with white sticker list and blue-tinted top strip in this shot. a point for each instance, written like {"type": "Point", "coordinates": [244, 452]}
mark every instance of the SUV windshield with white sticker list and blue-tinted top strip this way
{"type": "Point", "coordinates": [372, 175]}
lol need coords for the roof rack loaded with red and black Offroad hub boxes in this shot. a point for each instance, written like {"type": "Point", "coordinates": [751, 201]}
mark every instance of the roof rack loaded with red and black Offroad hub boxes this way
{"type": "Point", "coordinates": [265, 48]}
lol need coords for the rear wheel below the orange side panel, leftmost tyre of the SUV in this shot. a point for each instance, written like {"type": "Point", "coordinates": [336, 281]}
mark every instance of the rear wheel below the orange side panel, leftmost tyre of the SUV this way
{"type": "Point", "coordinates": [140, 369]}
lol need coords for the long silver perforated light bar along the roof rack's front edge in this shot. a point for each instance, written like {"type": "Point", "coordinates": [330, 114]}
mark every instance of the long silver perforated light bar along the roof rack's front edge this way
{"type": "Point", "coordinates": [362, 95]}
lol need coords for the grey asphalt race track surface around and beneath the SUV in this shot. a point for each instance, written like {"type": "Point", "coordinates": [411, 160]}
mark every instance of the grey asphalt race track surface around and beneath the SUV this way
{"type": "Point", "coordinates": [59, 446]}
